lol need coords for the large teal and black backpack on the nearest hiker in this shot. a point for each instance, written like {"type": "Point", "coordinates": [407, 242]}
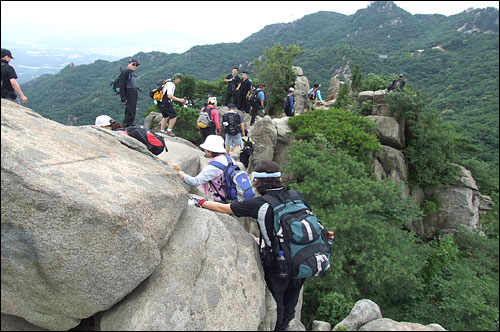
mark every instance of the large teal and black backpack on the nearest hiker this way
{"type": "Point", "coordinates": [301, 236]}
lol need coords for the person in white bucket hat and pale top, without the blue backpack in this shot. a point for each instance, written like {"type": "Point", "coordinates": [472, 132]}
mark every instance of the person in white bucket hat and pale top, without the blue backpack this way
{"type": "Point", "coordinates": [210, 178]}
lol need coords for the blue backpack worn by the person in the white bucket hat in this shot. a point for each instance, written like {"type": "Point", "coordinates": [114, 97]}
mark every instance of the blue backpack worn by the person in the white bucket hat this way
{"type": "Point", "coordinates": [236, 184]}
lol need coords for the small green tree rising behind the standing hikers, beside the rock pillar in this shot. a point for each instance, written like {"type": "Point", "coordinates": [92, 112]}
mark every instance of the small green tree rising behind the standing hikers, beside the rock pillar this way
{"type": "Point", "coordinates": [277, 73]}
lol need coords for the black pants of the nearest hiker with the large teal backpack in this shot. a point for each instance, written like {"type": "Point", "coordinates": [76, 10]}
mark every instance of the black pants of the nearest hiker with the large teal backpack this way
{"type": "Point", "coordinates": [286, 293]}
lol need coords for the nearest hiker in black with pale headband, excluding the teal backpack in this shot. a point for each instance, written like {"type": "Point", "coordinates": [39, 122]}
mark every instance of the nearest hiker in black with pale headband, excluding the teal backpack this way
{"type": "Point", "coordinates": [285, 290]}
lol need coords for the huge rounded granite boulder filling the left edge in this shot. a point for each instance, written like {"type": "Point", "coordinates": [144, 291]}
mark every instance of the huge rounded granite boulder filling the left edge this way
{"type": "Point", "coordinates": [82, 225]}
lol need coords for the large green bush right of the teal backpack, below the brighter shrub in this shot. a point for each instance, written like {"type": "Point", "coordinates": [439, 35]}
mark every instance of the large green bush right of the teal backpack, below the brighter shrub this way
{"type": "Point", "coordinates": [372, 256]}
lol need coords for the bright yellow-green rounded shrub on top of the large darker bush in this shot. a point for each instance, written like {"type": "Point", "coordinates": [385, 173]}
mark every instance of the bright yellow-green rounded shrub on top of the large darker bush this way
{"type": "Point", "coordinates": [343, 129]}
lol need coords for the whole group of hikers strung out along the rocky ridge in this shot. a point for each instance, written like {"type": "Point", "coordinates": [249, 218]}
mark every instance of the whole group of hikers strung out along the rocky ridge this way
{"type": "Point", "coordinates": [293, 243]}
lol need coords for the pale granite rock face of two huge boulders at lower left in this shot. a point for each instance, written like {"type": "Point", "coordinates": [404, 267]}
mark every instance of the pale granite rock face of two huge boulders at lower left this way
{"type": "Point", "coordinates": [91, 220]}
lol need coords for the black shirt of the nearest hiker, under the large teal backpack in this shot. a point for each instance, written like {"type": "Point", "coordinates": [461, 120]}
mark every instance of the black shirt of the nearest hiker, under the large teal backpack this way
{"type": "Point", "coordinates": [259, 209]}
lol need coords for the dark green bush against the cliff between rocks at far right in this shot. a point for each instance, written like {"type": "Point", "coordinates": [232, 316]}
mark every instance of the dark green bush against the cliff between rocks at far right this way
{"type": "Point", "coordinates": [432, 149]}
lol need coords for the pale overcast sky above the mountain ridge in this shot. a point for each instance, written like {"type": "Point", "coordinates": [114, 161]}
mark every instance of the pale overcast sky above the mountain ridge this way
{"type": "Point", "coordinates": [126, 27]}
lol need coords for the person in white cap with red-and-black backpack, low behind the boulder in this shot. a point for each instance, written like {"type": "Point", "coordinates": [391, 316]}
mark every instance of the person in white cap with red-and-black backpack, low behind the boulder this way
{"type": "Point", "coordinates": [153, 141]}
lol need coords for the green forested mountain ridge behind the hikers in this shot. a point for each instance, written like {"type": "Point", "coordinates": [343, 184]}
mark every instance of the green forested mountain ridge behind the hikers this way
{"type": "Point", "coordinates": [452, 60]}
